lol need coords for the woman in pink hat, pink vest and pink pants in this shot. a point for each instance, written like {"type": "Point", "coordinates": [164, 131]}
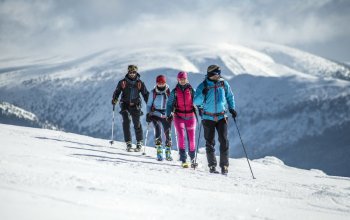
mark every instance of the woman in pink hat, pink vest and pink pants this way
{"type": "Point", "coordinates": [180, 108]}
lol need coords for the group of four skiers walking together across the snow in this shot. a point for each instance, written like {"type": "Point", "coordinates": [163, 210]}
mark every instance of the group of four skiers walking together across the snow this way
{"type": "Point", "coordinates": [211, 100]}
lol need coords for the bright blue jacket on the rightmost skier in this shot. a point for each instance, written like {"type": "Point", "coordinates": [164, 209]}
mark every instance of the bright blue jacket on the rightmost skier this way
{"type": "Point", "coordinates": [218, 99]}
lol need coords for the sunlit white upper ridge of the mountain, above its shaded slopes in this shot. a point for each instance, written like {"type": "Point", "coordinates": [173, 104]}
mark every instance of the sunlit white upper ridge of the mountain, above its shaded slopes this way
{"type": "Point", "coordinates": [259, 59]}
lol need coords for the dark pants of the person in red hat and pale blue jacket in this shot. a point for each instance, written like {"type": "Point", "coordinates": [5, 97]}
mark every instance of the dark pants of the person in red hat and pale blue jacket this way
{"type": "Point", "coordinates": [158, 122]}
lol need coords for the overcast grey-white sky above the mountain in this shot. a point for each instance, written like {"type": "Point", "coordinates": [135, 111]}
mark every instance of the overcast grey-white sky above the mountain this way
{"type": "Point", "coordinates": [318, 26]}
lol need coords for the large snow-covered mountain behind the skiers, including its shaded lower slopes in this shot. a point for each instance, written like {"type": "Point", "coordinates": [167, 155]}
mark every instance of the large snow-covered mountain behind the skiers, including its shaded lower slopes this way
{"type": "Point", "coordinates": [291, 104]}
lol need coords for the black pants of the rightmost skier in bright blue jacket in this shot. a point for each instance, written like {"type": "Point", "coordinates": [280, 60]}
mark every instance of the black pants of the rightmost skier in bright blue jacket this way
{"type": "Point", "coordinates": [209, 135]}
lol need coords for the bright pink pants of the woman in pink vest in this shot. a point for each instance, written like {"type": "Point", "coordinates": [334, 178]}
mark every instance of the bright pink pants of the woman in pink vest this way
{"type": "Point", "coordinates": [181, 126]}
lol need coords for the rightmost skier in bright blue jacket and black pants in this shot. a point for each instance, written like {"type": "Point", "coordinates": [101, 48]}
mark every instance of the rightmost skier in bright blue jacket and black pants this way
{"type": "Point", "coordinates": [214, 98]}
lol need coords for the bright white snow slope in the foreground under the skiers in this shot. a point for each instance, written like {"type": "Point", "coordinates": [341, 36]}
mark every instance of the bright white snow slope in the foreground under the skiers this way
{"type": "Point", "coordinates": [46, 174]}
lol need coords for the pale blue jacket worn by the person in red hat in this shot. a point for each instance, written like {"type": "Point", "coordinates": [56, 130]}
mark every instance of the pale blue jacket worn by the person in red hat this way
{"type": "Point", "coordinates": [157, 106]}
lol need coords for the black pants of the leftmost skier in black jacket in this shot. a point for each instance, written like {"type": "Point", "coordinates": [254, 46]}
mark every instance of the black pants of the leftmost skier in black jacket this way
{"type": "Point", "coordinates": [134, 112]}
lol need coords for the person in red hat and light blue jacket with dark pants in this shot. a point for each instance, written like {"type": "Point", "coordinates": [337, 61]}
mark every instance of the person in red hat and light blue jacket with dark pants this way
{"type": "Point", "coordinates": [156, 113]}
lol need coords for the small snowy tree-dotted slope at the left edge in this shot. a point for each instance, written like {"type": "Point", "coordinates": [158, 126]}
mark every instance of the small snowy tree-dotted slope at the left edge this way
{"type": "Point", "coordinates": [10, 114]}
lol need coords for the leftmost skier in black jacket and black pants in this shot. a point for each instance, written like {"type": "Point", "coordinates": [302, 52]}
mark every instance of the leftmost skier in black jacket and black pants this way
{"type": "Point", "coordinates": [130, 104]}
